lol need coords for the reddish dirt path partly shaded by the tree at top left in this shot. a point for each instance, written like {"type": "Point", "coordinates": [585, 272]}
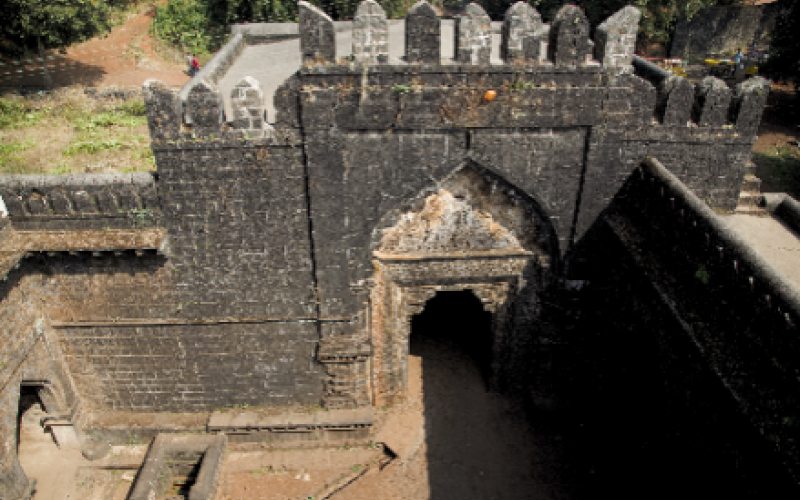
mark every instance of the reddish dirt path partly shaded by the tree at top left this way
{"type": "Point", "coordinates": [124, 57]}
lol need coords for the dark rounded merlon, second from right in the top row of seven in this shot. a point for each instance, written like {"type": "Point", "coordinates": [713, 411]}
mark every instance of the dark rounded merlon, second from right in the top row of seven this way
{"type": "Point", "coordinates": [569, 38]}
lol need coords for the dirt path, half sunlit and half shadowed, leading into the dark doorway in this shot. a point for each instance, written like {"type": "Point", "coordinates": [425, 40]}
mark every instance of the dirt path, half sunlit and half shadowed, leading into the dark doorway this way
{"type": "Point", "coordinates": [454, 439]}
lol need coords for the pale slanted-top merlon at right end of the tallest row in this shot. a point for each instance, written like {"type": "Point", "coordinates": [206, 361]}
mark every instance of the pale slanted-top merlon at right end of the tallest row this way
{"type": "Point", "coordinates": [616, 39]}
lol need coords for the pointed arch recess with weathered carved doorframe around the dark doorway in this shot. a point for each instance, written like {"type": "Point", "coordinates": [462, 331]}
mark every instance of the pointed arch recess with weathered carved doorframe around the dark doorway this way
{"type": "Point", "coordinates": [471, 230]}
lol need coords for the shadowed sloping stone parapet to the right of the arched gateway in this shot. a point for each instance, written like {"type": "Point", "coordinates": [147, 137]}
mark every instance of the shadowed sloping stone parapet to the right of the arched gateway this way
{"type": "Point", "coordinates": [740, 314]}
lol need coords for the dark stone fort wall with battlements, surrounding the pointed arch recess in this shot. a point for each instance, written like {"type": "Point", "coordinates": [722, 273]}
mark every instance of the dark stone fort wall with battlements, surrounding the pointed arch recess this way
{"type": "Point", "coordinates": [264, 277]}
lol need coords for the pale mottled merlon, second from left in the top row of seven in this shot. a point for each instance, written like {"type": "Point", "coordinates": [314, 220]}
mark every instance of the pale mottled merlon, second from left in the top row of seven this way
{"type": "Point", "coordinates": [370, 34]}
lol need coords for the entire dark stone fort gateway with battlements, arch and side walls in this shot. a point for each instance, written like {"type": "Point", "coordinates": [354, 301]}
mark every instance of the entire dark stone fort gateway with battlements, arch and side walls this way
{"type": "Point", "coordinates": [571, 187]}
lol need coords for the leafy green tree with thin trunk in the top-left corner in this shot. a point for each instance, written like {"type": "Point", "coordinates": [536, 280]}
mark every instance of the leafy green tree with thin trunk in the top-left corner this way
{"type": "Point", "coordinates": [52, 23]}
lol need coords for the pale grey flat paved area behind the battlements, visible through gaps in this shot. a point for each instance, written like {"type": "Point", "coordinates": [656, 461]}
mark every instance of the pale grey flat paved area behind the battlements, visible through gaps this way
{"type": "Point", "coordinates": [272, 64]}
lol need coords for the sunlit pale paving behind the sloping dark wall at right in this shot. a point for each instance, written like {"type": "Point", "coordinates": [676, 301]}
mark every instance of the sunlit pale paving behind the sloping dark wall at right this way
{"type": "Point", "coordinates": [773, 240]}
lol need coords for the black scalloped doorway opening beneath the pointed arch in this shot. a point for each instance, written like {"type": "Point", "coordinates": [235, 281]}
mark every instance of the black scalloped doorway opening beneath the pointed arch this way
{"type": "Point", "coordinates": [454, 325]}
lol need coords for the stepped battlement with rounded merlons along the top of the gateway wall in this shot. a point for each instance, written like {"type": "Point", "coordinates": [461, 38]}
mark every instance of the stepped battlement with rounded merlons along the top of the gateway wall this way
{"type": "Point", "coordinates": [518, 73]}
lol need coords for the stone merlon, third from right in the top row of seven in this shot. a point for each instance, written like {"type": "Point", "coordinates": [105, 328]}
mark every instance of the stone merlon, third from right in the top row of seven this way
{"type": "Point", "coordinates": [521, 39]}
